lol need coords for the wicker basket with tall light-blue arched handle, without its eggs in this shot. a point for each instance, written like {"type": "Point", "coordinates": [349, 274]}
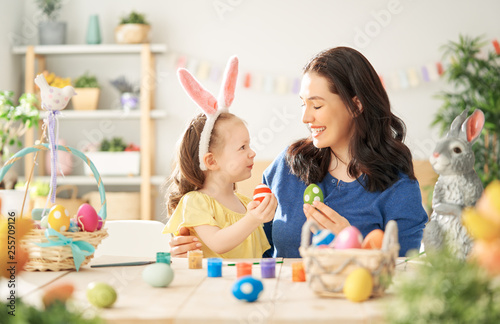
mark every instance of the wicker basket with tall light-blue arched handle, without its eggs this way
{"type": "Point", "coordinates": [58, 258]}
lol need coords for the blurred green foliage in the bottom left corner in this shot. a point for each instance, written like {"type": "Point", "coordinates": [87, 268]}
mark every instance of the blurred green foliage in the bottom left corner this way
{"type": "Point", "coordinates": [57, 313]}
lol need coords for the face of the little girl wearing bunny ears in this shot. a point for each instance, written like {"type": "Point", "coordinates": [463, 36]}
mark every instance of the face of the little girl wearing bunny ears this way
{"type": "Point", "coordinates": [234, 157]}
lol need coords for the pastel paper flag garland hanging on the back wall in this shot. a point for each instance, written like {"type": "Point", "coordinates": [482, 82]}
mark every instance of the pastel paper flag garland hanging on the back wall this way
{"type": "Point", "coordinates": [400, 79]}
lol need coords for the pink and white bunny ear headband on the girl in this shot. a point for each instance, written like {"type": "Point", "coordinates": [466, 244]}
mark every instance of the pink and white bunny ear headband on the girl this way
{"type": "Point", "coordinates": [210, 106]}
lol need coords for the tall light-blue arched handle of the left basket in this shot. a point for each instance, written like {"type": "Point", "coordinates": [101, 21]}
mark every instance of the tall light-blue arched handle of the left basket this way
{"type": "Point", "coordinates": [45, 147]}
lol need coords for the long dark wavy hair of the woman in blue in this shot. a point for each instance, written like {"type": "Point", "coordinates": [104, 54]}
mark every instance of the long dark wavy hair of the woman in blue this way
{"type": "Point", "coordinates": [376, 148]}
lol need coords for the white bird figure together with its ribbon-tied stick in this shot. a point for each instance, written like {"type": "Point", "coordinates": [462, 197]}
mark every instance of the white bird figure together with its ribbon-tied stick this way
{"type": "Point", "coordinates": [53, 100]}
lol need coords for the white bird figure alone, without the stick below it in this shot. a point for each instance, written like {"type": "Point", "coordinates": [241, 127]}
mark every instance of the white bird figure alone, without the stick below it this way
{"type": "Point", "coordinates": [53, 98]}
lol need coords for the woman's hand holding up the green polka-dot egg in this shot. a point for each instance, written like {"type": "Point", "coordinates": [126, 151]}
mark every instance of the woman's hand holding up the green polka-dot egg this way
{"type": "Point", "coordinates": [326, 217]}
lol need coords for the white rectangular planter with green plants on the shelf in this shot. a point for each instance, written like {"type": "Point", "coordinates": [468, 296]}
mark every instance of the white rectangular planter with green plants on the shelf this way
{"type": "Point", "coordinates": [114, 158]}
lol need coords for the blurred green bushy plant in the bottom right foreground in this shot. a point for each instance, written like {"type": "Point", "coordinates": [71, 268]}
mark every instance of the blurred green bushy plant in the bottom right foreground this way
{"type": "Point", "coordinates": [445, 290]}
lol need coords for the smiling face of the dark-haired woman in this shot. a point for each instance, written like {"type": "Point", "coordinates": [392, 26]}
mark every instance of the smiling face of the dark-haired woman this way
{"type": "Point", "coordinates": [329, 120]}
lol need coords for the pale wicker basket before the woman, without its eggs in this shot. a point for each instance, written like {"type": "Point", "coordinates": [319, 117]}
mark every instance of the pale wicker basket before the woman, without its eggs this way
{"type": "Point", "coordinates": [327, 269]}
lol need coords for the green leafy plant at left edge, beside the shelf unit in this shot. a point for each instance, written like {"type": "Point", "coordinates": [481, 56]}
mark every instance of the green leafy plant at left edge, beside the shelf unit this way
{"type": "Point", "coordinates": [15, 120]}
